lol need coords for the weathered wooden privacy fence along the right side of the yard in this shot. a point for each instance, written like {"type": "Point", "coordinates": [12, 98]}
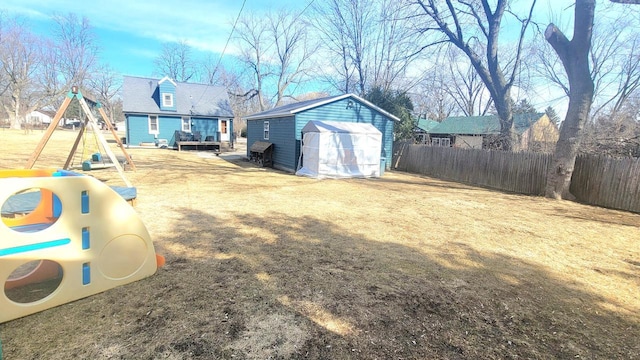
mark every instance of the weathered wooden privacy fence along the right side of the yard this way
{"type": "Point", "coordinates": [597, 180]}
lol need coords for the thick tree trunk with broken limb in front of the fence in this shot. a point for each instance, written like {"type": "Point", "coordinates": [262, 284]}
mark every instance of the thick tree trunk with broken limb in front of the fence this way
{"type": "Point", "coordinates": [574, 55]}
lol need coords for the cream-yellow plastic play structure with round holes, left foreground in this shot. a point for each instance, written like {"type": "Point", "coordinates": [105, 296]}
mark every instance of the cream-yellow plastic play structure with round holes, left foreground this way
{"type": "Point", "coordinates": [80, 239]}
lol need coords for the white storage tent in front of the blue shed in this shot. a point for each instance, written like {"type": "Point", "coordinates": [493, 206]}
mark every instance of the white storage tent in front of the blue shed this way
{"type": "Point", "coordinates": [333, 149]}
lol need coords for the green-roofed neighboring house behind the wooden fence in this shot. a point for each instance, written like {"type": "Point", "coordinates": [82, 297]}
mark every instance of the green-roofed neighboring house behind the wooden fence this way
{"type": "Point", "coordinates": [535, 132]}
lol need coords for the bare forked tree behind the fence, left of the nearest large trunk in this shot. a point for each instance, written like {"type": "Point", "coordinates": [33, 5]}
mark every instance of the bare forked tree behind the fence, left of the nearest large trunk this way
{"type": "Point", "coordinates": [474, 25]}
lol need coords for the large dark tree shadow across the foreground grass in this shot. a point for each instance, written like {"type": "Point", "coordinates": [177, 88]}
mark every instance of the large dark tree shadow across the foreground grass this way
{"type": "Point", "coordinates": [280, 286]}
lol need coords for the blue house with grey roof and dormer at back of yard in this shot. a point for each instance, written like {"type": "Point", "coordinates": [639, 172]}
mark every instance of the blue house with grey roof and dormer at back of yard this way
{"type": "Point", "coordinates": [160, 110]}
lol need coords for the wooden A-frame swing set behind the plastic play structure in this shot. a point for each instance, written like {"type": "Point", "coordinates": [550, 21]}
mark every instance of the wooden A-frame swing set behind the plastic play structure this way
{"type": "Point", "coordinates": [91, 155]}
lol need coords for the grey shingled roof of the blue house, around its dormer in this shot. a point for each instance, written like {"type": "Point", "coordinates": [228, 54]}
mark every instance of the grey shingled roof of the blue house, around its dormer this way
{"type": "Point", "coordinates": [140, 95]}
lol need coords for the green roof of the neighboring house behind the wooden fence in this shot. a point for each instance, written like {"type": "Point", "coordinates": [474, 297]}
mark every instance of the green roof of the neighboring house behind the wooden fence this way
{"type": "Point", "coordinates": [483, 125]}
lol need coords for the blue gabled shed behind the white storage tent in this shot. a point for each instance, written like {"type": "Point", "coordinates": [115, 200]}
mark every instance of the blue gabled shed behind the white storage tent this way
{"type": "Point", "coordinates": [283, 125]}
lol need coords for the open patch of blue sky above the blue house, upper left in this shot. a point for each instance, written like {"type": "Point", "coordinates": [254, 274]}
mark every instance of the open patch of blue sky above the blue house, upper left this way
{"type": "Point", "coordinates": [131, 33]}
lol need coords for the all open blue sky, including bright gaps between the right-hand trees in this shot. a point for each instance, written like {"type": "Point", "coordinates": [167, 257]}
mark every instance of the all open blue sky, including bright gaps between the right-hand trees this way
{"type": "Point", "coordinates": [131, 33]}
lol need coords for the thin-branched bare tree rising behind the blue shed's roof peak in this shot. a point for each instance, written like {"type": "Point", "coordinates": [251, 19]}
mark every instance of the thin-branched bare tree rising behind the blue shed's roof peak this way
{"type": "Point", "coordinates": [368, 41]}
